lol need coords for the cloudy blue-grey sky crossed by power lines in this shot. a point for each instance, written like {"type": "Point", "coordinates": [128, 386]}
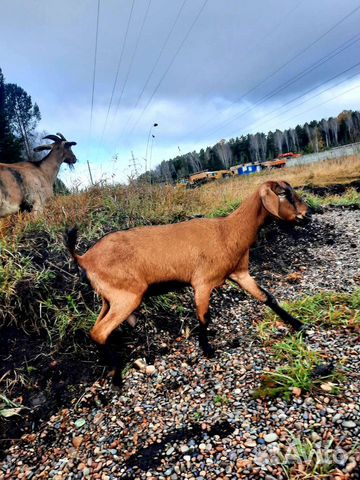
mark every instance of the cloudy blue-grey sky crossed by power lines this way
{"type": "Point", "coordinates": [202, 70]}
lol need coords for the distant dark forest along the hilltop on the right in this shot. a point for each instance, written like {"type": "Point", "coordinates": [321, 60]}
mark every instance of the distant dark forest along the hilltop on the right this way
{"type": "Point", "coordinates": [308, 138]}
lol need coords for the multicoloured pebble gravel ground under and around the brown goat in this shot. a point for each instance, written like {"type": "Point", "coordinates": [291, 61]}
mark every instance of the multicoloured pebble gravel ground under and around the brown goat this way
{"type": "Point", "coordinates": [191, 417]}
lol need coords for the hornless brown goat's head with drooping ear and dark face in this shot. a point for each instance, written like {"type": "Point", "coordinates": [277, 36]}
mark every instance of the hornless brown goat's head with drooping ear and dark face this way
{"type": "Point", "coordinates": [280, 199]}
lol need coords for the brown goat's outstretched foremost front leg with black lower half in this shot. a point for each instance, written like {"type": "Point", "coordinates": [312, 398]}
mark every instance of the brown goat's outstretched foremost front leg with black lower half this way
{"type": "Point", "coordinates": [245, 281]}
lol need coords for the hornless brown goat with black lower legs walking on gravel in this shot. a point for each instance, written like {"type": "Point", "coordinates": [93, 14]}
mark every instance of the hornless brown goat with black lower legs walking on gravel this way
{"type": "Point", "coordinates": [201, 252]}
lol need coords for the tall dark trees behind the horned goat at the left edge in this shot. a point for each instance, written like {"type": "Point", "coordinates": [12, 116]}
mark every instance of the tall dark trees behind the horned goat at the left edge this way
{"type": "Point", "coordinates": [19, 117]}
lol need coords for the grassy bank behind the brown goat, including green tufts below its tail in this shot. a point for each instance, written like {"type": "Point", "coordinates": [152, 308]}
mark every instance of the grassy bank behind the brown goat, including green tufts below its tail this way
{"type": "Point", "coordinates": [40, 290]}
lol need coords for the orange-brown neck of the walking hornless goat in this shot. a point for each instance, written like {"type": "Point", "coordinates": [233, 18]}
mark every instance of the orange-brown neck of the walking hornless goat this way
{"type": "Point", "coordinates": [245, 223]}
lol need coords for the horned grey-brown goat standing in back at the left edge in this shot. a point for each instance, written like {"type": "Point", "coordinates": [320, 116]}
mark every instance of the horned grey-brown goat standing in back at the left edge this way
{"type": "Point", "coordinates": [27, 186]}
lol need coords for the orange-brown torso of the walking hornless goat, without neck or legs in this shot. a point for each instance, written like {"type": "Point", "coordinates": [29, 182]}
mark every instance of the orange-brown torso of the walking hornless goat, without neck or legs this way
{"type": "Point", "coordinates": [156, 254]}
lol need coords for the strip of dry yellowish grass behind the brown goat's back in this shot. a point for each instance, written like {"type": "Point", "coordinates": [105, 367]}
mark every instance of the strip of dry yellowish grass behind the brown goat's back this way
{"type": "Point", "coordinates": [165, 203]}
